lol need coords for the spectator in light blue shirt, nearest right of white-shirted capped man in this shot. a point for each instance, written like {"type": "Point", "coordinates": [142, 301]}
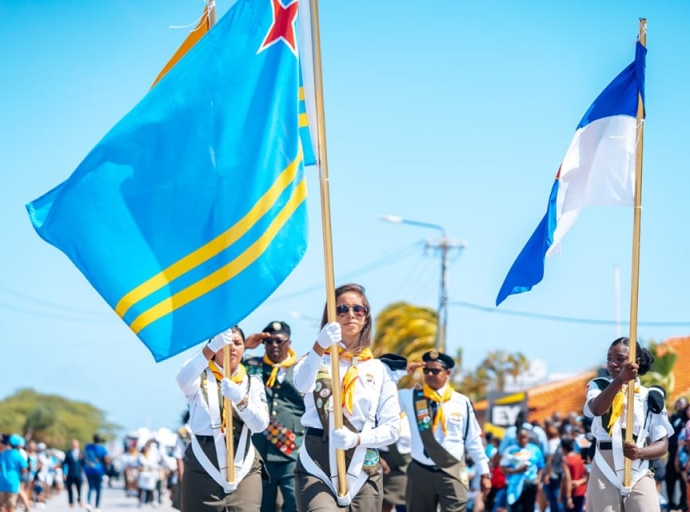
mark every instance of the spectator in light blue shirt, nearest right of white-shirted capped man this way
{"type": "Point", "coordinates": [523, 465]}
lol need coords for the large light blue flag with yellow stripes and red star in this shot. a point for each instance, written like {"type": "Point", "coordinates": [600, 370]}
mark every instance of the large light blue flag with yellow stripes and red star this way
{"type": "Point", "coordinates": [191, 211]}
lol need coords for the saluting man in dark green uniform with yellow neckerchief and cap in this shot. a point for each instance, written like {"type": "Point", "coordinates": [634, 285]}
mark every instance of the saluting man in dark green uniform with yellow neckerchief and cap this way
{"type": "Point", "coordinates": [280, 442]}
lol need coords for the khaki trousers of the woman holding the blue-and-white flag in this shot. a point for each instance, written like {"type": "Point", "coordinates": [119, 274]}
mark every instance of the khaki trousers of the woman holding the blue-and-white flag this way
{"type": "Point", "coordinates": [603, 496]}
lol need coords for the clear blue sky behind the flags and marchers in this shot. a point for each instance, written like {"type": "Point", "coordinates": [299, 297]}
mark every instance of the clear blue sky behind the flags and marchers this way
{"type": "Point", "coordinates": [447, 112]}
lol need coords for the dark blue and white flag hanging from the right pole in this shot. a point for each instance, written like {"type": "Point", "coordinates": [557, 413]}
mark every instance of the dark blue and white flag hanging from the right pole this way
{"type": "Point", "coordinates": [598, 169]}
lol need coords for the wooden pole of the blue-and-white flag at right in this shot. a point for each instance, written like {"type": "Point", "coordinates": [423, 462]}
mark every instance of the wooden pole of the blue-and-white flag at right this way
{"type": "Point", "coordinates": [635, 281]}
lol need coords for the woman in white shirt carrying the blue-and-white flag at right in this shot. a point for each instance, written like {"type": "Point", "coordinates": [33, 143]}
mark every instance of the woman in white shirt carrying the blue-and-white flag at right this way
{"type": "Point", "coordinates": [606, 403]}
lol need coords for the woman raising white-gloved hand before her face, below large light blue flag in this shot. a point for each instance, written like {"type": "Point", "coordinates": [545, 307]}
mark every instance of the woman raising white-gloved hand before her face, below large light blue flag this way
{"type": "Point", "coordinates": [205, 487]}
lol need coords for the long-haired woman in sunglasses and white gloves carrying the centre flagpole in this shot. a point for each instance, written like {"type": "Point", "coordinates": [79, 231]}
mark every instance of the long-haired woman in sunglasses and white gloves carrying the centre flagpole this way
{"type": "Point", "coordinates": [370, 408]}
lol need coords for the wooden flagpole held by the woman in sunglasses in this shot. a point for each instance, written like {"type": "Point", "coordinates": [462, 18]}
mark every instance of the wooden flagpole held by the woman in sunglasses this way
{"type": "Point", "coordinates": [327, 239]}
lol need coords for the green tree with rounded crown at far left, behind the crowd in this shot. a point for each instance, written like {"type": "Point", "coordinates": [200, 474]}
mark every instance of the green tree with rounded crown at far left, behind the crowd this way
{"type": "Point", "coordinates": [52, 419]}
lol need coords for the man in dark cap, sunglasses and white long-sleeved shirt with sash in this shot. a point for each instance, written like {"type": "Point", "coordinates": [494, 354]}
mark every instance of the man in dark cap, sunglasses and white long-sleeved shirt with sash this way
{"type": "Point", "coordinates": [444, 428]}
